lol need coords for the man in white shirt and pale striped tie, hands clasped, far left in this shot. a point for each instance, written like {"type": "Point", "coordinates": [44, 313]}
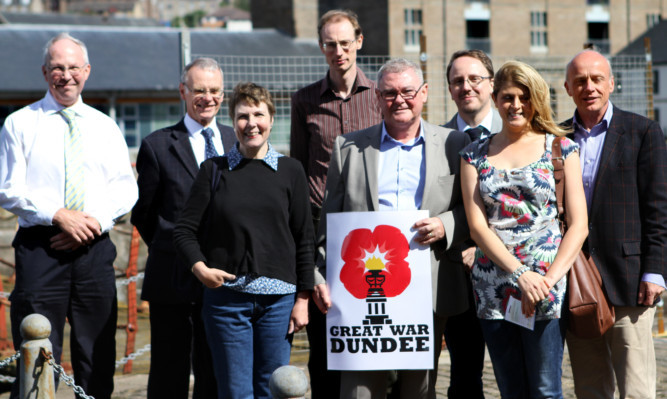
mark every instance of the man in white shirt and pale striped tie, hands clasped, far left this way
{"type": "Point", "coordinates": [65, 172]}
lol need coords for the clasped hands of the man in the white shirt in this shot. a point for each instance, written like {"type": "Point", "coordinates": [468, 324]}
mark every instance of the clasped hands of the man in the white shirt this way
{"type": "Point", "coordinates": [78, 228]}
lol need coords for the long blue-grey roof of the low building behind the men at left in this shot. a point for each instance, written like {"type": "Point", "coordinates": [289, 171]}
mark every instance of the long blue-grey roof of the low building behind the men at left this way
{"type": "Point", "coordinates": [131, 59]}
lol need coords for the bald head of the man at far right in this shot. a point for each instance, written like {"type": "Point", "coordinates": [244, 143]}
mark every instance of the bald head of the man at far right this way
{"type": "Point", "coordinates": [589, 82]}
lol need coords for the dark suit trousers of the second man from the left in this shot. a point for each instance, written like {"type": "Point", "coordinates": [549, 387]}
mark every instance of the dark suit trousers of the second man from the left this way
{"type": "Point", "coordinates": [178, 340]}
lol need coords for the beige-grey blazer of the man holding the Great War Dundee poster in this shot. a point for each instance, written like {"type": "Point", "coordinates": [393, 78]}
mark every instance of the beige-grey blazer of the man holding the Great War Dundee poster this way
{"type": "Point", "coordinates": [352, 186]}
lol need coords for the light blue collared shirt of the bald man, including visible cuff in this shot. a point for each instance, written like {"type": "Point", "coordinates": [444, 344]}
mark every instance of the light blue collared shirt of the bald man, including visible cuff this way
{"type": "Point", "coordinates": [590, 151]}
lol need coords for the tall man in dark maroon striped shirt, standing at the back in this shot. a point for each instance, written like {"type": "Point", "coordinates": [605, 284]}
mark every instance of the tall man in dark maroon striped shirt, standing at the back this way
{"type": "Point", "coordinates": [342, 102]}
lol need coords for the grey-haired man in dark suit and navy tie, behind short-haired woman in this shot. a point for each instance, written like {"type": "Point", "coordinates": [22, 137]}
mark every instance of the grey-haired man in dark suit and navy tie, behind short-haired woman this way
{"type": "Point", "coordinates": [167, 164]}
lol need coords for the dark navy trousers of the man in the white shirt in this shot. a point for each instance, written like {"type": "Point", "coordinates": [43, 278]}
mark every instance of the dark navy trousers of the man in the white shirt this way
{"type": "Point", "coordinates": [78, 286]}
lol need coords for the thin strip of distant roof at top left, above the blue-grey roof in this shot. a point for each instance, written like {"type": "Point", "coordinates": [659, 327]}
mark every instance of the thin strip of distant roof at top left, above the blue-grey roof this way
{"type": "Point", "coordinates": [73, 19]}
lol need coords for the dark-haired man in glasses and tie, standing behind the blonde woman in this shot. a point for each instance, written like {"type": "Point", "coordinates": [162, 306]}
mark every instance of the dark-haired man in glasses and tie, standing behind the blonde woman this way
{"type": "Point", "coordinates": [470, 79]}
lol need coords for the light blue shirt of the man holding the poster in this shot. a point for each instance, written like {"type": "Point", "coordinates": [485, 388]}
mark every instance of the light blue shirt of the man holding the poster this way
{"type": "Point", "coordinates": [401, 172]}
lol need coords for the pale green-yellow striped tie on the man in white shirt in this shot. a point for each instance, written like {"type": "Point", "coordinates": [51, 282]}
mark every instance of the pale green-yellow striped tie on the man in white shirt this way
{"type": "Point", "coordinates": [73, 163]}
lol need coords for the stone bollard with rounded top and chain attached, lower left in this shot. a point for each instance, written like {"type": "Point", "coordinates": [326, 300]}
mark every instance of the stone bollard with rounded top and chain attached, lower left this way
{"type": "Point", "coordinates": [37, 381]}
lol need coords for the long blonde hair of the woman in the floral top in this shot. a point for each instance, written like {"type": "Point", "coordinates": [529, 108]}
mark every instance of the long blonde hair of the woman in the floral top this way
{"type": "Point", "coordinates": [521, 74]}
